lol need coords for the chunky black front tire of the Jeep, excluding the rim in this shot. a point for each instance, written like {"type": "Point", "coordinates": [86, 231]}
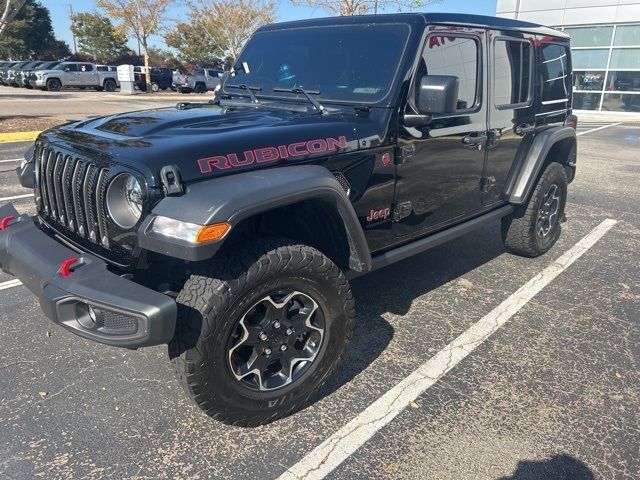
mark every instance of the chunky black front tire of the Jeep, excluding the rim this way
{"type": "Point", "coordinates": [217, 296]}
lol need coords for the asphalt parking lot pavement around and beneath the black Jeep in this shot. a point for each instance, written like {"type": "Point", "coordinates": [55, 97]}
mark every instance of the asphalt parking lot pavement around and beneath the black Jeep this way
{"type": "Point", "coordinates": [554, 393]}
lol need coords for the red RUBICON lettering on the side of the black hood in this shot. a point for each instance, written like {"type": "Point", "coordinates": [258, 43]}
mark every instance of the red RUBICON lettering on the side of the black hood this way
{"type": "Point", "coordinates": [272, 154]}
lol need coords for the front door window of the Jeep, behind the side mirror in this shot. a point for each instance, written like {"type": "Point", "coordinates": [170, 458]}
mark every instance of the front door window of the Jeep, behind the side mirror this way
{"type": "Point", "coordinates": [456, 56]}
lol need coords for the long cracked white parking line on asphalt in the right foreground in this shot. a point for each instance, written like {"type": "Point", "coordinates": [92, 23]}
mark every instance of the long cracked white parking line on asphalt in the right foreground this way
{"type": "Point", "coordinates": [323, 459]}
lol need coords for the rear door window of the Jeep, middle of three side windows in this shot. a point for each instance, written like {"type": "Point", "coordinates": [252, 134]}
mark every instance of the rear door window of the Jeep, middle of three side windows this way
{"type": "Point", "coordinates": [512, 73]}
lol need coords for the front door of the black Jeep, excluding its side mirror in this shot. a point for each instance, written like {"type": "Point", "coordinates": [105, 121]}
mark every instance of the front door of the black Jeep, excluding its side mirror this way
{"type": "Point", "coordinates": [440, 166]}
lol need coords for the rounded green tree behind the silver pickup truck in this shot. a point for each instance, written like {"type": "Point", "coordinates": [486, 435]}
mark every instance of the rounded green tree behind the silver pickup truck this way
{"type": "Point", "coordinates": [97, 37]}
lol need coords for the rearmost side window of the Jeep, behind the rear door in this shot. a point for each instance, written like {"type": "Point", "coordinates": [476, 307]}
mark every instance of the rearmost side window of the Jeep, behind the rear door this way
{"type": "Point", "coordinates": [556, 74]}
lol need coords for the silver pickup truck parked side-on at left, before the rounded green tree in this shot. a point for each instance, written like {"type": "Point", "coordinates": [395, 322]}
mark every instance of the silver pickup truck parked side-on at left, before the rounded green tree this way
{"type": "Point", "coordinates": [75, 75]}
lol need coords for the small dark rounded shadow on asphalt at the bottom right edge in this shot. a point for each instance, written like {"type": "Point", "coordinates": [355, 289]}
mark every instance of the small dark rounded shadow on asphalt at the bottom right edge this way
{"type": "Point", "coordinates": [559, 467]}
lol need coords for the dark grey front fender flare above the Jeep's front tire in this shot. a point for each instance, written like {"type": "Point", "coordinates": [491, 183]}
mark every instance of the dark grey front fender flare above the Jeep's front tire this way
{"type": "Point", "coordinates": [234, 198]}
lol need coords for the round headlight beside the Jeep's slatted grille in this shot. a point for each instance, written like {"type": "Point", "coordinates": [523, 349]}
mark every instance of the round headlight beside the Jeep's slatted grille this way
{"type": "Point", "coordinates": [124, 200]}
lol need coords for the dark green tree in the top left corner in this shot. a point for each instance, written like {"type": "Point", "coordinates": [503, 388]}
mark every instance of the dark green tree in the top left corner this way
{"type": "Point", "coordinates": [30, 35]}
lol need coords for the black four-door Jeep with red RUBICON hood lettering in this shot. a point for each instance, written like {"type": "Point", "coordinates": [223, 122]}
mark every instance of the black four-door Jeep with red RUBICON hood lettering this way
{"type": "Point", "coordinates": [230, 229]}
